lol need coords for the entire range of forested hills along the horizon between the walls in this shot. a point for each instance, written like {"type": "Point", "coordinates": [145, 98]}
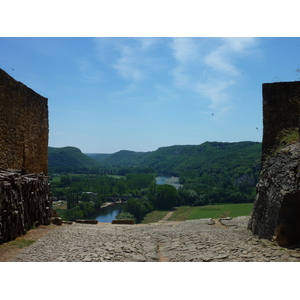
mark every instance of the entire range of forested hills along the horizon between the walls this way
{"type": "Point", "coordinates": [229, 159]}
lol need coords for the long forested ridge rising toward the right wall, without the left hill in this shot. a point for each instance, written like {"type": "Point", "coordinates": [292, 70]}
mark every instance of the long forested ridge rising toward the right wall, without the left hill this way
{"type": "Point", "coordinates": [209, 157]}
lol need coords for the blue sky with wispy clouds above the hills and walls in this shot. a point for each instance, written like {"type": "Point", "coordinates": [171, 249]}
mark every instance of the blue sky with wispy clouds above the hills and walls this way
{"type": "Point", "coordinates": [108, 94]}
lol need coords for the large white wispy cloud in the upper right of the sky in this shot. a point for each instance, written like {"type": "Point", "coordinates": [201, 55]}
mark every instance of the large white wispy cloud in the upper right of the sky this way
{"type": "Point", "coordinates": [214, 65]}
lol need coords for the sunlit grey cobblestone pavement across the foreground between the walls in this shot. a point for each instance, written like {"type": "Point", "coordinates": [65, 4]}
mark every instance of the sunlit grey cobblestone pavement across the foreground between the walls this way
{"type": "Point", "coordinates": [188, 241]}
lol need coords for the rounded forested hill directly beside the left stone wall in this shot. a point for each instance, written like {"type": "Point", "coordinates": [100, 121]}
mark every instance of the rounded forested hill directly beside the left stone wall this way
{"type": "Point", "coordinates": [68, 159]}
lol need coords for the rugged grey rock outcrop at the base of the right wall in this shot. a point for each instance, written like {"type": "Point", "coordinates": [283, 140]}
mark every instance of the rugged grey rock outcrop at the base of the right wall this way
{"type": "Point", "coordinates": [276, 209]}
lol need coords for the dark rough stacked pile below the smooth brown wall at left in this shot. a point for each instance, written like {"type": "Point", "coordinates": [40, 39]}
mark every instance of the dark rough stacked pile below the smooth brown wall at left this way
{"type": "Point", "coordinates": [24, 202]}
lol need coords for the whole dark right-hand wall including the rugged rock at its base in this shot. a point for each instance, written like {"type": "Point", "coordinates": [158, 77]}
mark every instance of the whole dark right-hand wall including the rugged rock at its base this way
{"type": "Point", "coordinates": [276, 210]}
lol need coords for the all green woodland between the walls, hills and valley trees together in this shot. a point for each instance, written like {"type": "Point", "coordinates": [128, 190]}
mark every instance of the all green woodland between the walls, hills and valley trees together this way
{"type": "Point", "coordinates": [210, 173]}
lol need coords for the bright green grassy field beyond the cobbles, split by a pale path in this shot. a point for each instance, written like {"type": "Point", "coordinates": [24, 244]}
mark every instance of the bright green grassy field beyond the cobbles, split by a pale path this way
{"type": "Point", "coordinates": [184, 213]}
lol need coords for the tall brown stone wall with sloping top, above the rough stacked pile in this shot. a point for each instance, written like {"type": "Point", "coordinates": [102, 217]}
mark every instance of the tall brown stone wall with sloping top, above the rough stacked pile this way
{"type": "Point", "coordinates": [23, 127]}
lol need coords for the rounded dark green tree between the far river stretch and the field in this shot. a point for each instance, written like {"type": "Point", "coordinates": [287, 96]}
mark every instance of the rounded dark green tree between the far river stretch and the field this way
{"type": "Point", "coordinates": [167, 197]}
